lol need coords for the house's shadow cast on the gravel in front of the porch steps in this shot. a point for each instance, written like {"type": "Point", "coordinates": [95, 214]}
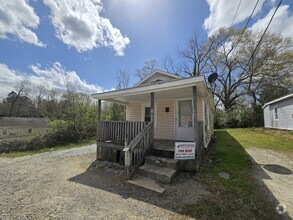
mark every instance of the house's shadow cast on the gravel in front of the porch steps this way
{"type": "Point", "coordinates": [110, 177]}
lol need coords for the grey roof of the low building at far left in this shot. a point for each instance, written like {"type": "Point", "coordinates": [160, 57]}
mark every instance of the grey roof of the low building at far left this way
{"type": "Point", "coordinates": [23, 122]}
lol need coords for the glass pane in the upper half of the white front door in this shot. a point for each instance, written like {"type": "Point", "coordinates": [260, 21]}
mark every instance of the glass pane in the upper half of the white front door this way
{"type": "Point", "coordinates": [185, 113]}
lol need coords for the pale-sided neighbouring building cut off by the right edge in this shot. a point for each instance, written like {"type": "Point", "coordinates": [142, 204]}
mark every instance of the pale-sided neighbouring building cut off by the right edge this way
{"type": "Point", "coordinates": [279, 113]}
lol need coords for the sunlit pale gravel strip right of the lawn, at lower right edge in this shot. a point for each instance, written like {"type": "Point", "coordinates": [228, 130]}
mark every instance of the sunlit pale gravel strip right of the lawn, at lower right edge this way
{"type": "Point", "coordinates": [275, 170]}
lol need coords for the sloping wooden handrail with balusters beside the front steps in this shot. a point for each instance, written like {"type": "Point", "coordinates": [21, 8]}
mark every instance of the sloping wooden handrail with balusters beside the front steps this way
{"type": "Point", "coordinates": [136, 150]}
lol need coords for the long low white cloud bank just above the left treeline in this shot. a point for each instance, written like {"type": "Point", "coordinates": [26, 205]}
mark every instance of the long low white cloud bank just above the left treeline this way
{"type": "Point", "coordinates": [54, 77]}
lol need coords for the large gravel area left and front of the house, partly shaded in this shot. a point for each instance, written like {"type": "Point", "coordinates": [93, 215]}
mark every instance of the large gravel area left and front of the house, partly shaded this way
{"type": "Point", "coordinates": [66, 185]}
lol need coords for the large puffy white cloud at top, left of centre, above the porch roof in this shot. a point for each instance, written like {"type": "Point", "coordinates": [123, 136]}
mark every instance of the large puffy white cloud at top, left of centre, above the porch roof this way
{"type": "Point", "coordinates": [79, 24]}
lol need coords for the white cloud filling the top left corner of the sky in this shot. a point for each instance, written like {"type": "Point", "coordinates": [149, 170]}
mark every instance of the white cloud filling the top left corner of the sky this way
{"type": "Point", "coordinates": [18, 18]}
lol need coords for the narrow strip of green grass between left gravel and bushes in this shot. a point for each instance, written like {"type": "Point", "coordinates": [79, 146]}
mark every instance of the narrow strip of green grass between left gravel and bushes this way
{"type": "Point", "coordinates": [59, 147]}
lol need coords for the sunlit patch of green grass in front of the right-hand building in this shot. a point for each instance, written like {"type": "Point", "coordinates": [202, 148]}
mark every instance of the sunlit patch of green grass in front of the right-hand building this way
{"type": "Point", "coordinates": [263, 138]}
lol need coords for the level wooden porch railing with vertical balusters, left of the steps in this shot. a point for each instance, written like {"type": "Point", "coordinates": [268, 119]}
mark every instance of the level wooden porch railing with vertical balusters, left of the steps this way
{"type": "Point", "coordinates": [118, 131]}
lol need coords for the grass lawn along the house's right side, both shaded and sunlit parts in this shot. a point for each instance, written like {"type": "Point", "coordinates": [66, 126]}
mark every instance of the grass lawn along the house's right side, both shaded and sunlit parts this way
{"type": "Point", "coordinates": [241, 196]}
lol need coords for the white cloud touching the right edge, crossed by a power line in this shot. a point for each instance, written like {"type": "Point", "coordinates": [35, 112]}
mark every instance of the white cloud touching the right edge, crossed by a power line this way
{"type": "Point", "coordinates": [282, 22]}
